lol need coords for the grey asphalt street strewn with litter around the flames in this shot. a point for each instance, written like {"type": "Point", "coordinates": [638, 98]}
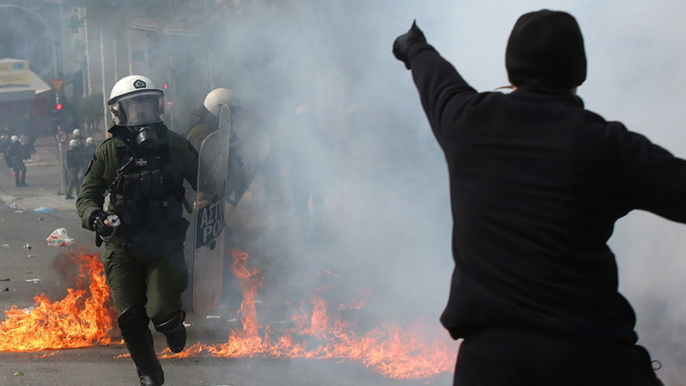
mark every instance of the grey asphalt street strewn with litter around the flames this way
{"type": "Point", "coordinates": [26, 272]}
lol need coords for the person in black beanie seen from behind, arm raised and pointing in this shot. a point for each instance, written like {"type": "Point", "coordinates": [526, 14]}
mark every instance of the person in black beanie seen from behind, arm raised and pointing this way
{"type": "Point", "coordinates": [537, 183]}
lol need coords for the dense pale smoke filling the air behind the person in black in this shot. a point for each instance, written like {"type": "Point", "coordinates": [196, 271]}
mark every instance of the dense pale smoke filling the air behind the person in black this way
{"type": "Point", "coordinates": [347, 122]}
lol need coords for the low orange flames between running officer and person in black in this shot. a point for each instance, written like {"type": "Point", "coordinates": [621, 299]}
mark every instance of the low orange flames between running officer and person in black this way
{"type": "Point", "coordinates": [390, 350]}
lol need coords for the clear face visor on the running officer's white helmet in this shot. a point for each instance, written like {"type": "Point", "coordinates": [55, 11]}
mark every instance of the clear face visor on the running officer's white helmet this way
{"type": "Point", "coordinates": [142, 108]}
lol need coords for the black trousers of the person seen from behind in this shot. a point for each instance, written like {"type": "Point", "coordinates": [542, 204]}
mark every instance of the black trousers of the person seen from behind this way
{"type": "Point", "coordinates": [506, 357]}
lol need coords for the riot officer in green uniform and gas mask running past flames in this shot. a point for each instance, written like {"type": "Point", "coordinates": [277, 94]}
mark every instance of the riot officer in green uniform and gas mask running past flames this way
{"type": "Point", "coordinates": [142, 168]}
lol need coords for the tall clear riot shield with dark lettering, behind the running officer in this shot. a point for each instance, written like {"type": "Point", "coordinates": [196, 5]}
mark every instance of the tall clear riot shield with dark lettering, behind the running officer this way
{"type": "Point", "coordinates": [208, 260]}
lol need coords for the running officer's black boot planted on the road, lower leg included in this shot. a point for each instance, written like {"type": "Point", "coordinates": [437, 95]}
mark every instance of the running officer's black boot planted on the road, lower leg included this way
{"type": "Point", "coordinates": [134, 329]}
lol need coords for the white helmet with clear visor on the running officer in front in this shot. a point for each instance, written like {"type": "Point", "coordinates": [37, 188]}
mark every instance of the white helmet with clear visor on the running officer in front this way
{"type": "Point", "coordinates": [134, 101]}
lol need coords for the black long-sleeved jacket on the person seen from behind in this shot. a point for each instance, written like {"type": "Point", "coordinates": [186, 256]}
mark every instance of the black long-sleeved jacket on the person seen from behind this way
{"type": "Point", "coordinates": [537, 183]}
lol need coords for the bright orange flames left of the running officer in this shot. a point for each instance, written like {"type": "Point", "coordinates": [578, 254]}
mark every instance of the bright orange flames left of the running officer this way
{"type": "Point", "coordinates": [78, 320]}
